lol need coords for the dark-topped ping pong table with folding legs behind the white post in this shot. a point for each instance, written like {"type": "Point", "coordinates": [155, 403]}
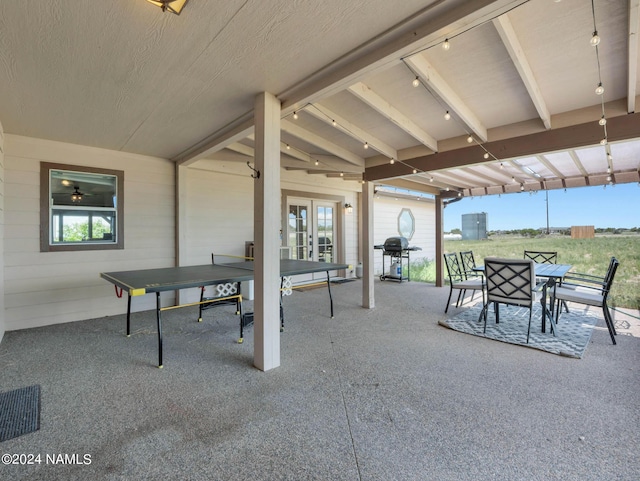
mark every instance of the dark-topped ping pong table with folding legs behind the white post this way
{"type": "Point", "coordinates": [141, 282]}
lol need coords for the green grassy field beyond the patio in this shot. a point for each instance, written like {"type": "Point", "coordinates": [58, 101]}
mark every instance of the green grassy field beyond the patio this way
{"type": "Point", "coordinates": [585, 255]}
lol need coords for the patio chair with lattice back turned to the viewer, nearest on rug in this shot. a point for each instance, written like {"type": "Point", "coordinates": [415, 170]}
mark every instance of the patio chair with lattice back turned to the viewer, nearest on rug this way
{"type": "Point", "coordinates": [511, 282]}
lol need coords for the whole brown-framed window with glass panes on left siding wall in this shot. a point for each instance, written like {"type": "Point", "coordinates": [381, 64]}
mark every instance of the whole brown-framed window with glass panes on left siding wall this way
{"type": "Point", "coordinates": [81, 208]}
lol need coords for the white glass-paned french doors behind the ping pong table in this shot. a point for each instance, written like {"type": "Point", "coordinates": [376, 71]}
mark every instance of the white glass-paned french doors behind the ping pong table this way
{"type": "Point", "coordinates": [311, 231]}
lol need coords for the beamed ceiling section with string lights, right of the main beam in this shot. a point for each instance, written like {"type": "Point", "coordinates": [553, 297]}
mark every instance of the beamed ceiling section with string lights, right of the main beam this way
{"type": "Point", "coordinates": [510, 106]}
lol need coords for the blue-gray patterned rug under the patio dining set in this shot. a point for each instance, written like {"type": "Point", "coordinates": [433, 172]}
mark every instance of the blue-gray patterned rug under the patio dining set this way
{"type": "Point", "coordinates": [571, 339]}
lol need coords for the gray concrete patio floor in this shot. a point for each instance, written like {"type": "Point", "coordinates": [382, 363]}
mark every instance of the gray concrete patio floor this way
{"type": "Point", "coordinates": [381, 394]}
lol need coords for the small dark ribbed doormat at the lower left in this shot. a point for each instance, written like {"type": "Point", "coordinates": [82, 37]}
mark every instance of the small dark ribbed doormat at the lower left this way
{"type": "Point", "coordinates": [19, 412]}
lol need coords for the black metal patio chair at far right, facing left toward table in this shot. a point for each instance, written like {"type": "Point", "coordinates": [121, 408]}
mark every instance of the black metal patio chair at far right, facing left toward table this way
{"type": "Point", "coordinates": [589, 290]}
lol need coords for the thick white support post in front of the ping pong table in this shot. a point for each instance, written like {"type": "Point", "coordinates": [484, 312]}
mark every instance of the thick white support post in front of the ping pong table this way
{"type": "Point", "coordinates": [266, 227]}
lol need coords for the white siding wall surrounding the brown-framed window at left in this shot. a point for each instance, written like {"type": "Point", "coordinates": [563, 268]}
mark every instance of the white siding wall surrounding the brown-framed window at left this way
{"type": "Point", "coordinates": [44, 288]}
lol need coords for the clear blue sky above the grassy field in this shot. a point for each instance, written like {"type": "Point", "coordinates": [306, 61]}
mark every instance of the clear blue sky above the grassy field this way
{"type": "Point", "coordinates": [613, 206]}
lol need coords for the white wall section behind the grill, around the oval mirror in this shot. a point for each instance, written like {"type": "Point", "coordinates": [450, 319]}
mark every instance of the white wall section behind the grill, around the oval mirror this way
{"type": "Point", "coordinates": [385, 225]}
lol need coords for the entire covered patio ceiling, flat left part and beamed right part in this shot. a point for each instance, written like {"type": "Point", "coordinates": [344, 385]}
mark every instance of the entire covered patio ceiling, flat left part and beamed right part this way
{"type": "Point", "coordinates": [364, 86]}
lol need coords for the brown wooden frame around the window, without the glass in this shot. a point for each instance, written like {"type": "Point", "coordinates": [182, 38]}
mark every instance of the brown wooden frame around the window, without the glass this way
{"type": "Point", "coordinates": [45, 212]}
